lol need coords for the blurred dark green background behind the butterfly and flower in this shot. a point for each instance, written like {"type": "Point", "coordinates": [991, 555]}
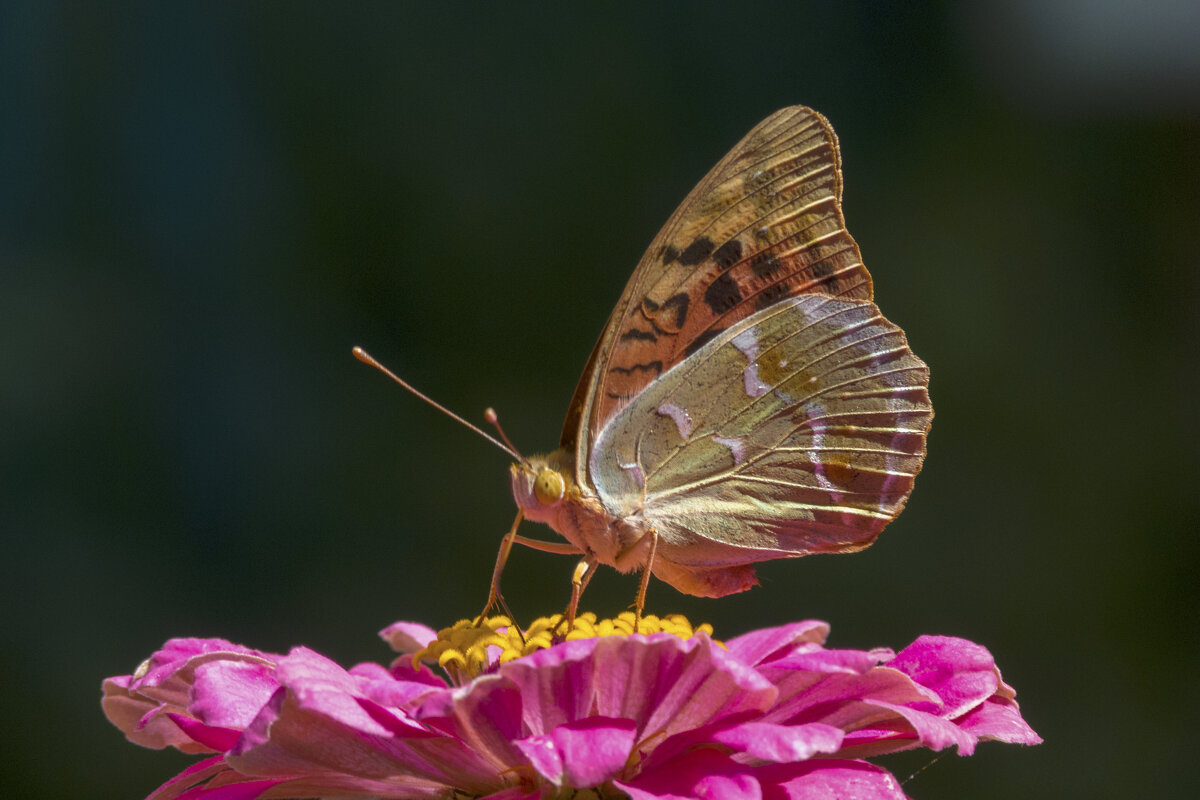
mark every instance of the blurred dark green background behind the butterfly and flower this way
{"type": "Point", "coordinates": [203, 209]}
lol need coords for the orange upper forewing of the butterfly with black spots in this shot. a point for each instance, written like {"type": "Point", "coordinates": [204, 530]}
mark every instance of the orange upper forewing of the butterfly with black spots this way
{"type": "Point", "coordinates": [765, 225]}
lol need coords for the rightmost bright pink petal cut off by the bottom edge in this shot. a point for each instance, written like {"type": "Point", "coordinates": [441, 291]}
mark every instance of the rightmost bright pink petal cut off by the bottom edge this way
{"type": "Point", "coordinates": [829, 780]}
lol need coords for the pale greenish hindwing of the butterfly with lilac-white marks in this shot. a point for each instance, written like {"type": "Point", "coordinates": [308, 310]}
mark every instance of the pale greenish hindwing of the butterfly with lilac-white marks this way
{"type": "Point", "coordinates": [797, 431]}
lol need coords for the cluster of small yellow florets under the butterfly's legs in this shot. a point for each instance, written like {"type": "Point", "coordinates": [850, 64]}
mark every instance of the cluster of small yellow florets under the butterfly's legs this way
{"type": "Point", "coordinates": [467, 649]}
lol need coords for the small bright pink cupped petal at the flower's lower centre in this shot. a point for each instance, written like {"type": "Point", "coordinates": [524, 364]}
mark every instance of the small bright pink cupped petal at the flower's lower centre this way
{"type": "Point", "coordinates": [581, 755]}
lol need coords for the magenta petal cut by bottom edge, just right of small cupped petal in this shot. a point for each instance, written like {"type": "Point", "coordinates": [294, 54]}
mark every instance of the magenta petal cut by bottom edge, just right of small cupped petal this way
{"type": "Point", "coordinates": [700, 774]}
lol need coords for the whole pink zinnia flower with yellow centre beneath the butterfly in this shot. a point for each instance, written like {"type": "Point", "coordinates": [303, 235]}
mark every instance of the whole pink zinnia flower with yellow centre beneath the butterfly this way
{"type": "Point", "coordinates": [772, 714]}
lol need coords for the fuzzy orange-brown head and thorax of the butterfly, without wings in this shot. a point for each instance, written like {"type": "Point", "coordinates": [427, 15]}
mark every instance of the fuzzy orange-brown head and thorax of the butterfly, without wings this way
{"type": "Point", "coordinates": [545, 490]}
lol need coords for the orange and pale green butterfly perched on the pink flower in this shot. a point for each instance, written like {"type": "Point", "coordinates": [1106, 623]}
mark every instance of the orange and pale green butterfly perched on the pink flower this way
{"type": "Point", "coordinates": [747, 400]}
